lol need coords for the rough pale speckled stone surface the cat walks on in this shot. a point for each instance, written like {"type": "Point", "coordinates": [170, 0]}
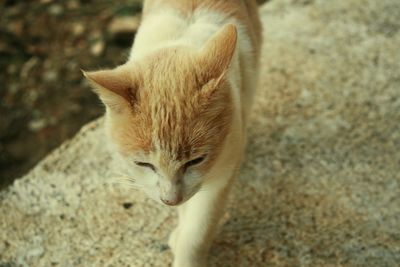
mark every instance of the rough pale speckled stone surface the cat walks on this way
{"type": "Point", "coordinates": [320, 185]}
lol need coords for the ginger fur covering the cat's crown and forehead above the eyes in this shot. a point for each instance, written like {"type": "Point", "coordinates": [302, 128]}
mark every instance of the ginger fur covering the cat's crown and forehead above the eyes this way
{"type": "Point", "coordinates": [170, 116]}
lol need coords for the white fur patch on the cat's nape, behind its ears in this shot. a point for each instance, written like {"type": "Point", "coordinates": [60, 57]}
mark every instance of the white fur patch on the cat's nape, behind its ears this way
{"type": "Point", "coordinates": [166, 28]}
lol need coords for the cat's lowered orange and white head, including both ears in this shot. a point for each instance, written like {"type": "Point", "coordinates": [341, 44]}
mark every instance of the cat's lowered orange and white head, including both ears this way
{"type": "Point", "coordinates": [168, 114]}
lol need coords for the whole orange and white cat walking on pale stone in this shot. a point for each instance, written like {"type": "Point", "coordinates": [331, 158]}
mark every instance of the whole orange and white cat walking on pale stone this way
{"type": "Point", "coordinates": [176, 111]}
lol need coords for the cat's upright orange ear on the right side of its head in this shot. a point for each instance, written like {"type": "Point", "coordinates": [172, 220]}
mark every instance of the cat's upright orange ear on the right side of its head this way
{"type": "Point", "coordinates": [216, 55]}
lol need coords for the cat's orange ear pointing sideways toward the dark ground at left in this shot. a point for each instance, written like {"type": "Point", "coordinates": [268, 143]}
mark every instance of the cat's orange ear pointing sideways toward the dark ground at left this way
{"type": "Point", "coordinates": [114, 87]}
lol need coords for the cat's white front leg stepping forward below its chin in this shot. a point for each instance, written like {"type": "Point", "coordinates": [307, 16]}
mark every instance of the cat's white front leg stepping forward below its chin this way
{"type": "Point", "coordinates": [197, 225]}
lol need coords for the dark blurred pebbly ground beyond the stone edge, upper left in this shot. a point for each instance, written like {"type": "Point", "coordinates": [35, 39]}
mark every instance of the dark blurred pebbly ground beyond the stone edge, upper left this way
{"type": "Point", "coordinates": [43, 46]}
